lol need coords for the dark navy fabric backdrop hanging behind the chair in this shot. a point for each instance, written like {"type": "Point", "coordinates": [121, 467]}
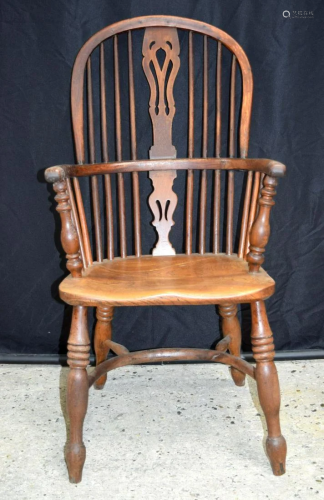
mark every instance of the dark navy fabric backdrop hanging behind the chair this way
{"type": "Point", "coordinates": [39, 42]}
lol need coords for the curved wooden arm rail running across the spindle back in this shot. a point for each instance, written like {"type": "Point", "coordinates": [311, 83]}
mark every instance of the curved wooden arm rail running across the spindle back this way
{"type": "Point", "coordinates": [268, 167]}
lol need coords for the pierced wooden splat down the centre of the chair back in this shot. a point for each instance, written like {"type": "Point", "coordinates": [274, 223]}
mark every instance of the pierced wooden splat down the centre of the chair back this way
{"type": "Point", "coordinates": [161, 64]}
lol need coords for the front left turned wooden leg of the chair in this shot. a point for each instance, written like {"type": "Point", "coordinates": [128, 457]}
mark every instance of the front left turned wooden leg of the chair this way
{"type": "Point", "coordinates": [77, 391]}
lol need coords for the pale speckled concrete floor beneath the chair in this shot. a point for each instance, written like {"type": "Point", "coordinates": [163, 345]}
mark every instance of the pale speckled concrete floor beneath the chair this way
{"type": "Point", "coordinates": [161, 432]}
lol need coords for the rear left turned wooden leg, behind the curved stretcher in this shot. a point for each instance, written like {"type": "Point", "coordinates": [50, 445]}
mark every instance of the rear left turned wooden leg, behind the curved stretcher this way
{"type": "Point", "coordinates": [102, 333]}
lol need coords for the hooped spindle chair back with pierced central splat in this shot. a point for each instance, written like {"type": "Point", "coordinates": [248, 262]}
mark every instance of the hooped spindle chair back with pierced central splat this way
{"type": "Point", "coordinates": [154, 88]}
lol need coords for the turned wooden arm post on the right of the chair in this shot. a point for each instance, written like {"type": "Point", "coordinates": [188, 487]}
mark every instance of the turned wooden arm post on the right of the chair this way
{"type": "Point", "coordinates": [260, 231]}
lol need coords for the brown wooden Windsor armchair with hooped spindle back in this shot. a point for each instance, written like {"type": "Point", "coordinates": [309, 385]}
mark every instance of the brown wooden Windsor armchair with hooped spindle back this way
{"type": "Point", "coordinates": [204, 271]}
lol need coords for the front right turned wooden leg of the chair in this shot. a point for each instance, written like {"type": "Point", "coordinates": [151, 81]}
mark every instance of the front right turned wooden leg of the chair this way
{"type": "Point", "coordinates": [268, 386]}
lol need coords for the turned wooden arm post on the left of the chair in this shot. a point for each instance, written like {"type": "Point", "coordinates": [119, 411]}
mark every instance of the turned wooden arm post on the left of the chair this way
{"type": "Point", "coordinates": [69, 236]}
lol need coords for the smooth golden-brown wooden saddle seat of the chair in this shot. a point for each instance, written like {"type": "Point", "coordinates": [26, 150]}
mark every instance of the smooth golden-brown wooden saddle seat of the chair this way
{"type": "Point", "coordinates": [167, 280]}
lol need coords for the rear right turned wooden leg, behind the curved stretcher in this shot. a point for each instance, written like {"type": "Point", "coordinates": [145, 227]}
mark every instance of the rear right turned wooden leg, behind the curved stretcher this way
{"type": "Point", "coordinates": [231, 326]}
